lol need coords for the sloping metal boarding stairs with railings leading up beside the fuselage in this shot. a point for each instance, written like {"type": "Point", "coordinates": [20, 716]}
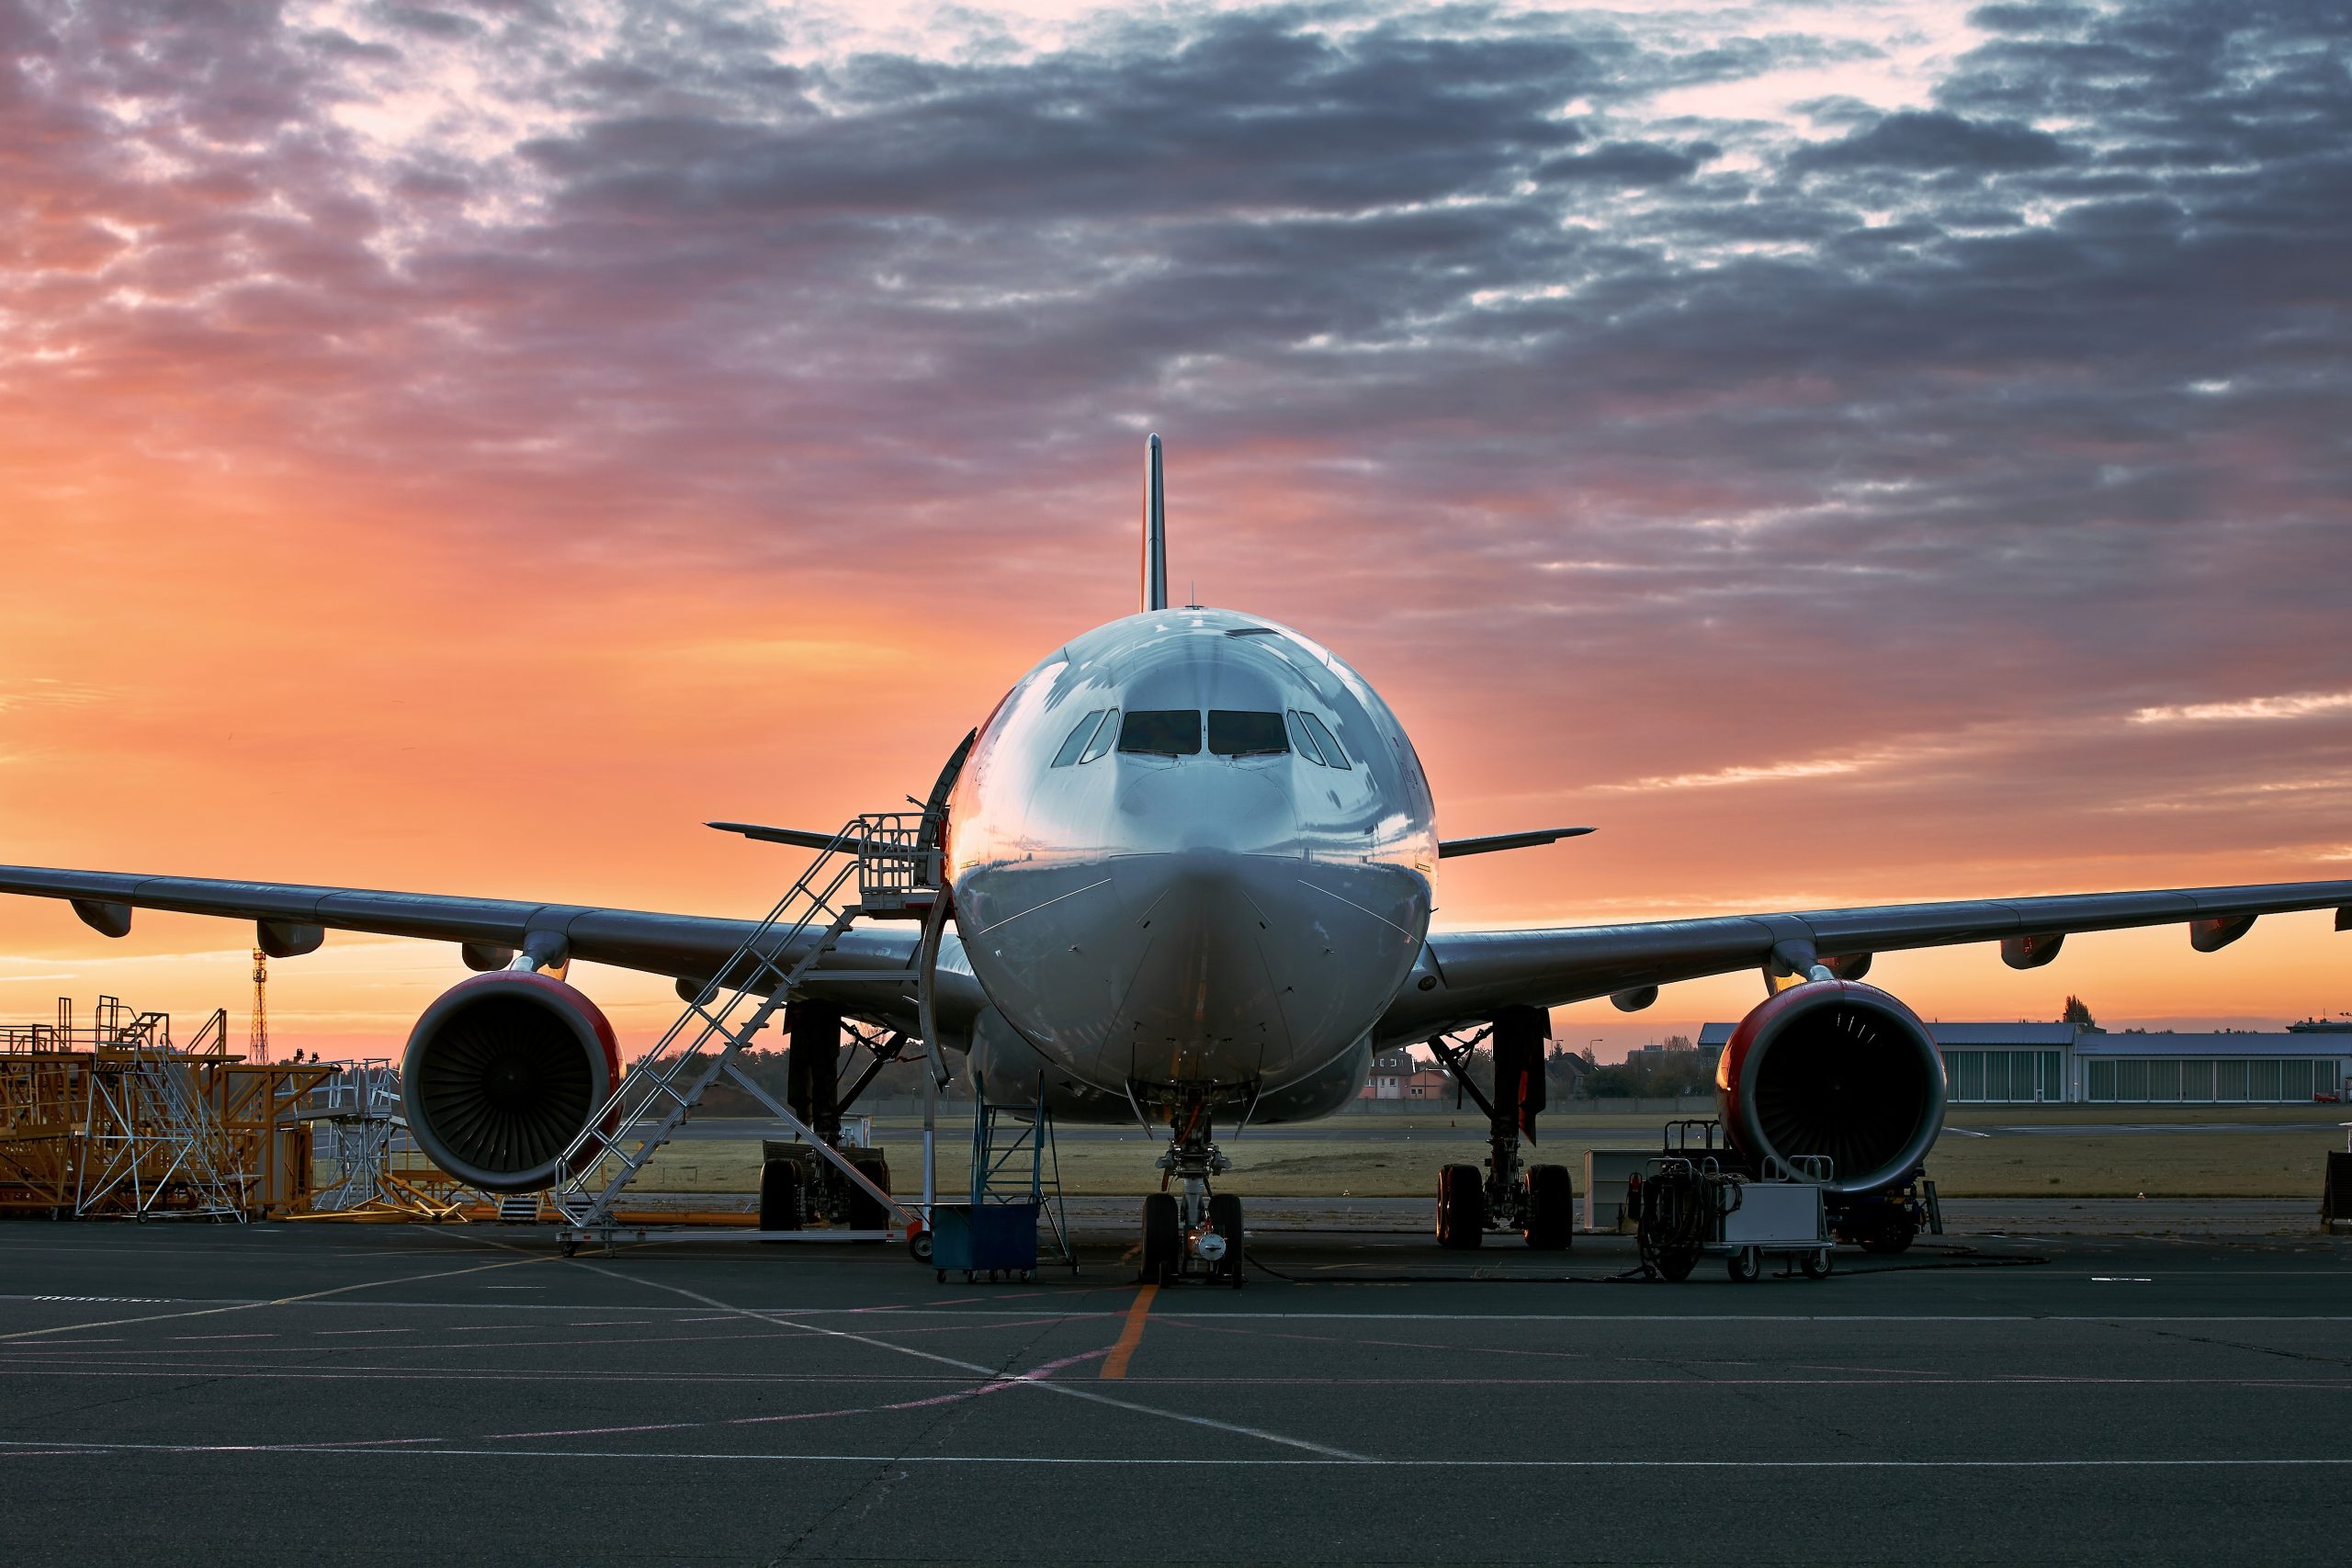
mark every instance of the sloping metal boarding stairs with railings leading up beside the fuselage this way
{"type": "Point", "coordinates": [886, 862]}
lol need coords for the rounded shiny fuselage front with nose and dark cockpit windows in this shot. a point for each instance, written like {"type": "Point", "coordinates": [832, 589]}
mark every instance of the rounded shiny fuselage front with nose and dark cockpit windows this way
{"type": "Point", "coordinates": [1165, 887]}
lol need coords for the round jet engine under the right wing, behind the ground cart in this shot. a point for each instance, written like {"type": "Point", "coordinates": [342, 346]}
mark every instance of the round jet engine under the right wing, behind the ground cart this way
{"type": "Point", "coordinates": [1833, 1068]}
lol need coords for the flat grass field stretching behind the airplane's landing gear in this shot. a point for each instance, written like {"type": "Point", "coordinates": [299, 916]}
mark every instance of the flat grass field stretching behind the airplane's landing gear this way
{"type": "Point", "coordinates": [1389, 1160]}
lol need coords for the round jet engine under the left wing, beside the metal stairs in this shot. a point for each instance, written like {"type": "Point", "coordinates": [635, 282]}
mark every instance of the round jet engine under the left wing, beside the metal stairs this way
{"type": "Point", "coordinates": [502, 1073]}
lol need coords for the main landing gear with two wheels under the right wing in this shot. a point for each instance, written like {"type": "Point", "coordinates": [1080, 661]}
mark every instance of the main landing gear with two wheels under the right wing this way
{"type": "Point", "coordinates": [1539, 1202]}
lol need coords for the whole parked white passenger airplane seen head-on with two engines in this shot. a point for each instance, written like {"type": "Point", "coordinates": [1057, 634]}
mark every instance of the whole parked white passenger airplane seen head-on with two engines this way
{"type": "Point", "coordinates": [1189, 866]}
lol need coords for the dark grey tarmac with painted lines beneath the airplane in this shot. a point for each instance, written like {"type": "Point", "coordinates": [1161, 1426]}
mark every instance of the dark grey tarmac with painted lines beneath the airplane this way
{"type": "Point", "coordinates": [2064, 1383]}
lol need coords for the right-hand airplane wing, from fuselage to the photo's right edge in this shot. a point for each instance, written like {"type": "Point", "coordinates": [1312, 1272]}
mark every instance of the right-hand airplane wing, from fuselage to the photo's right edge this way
{"type": "Point", "coordinates": [1466, 974]}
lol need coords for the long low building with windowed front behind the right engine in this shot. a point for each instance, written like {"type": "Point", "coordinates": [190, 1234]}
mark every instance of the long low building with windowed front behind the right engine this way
{"type": "Point", "coordinates": [2024, 1064]}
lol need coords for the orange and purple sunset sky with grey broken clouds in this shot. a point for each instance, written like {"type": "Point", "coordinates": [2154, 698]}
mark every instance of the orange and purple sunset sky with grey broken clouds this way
{"type": "Point", "coordinates": [1843, 453]}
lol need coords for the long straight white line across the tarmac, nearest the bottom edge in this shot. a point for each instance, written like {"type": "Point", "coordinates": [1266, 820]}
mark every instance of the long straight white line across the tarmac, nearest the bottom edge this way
{"type": "Point", "coordinates": [439, 1449]}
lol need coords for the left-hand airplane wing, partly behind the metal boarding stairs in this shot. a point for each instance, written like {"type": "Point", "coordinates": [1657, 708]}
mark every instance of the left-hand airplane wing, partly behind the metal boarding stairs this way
{"type": "Point", "coordinates": [867, 970]}
